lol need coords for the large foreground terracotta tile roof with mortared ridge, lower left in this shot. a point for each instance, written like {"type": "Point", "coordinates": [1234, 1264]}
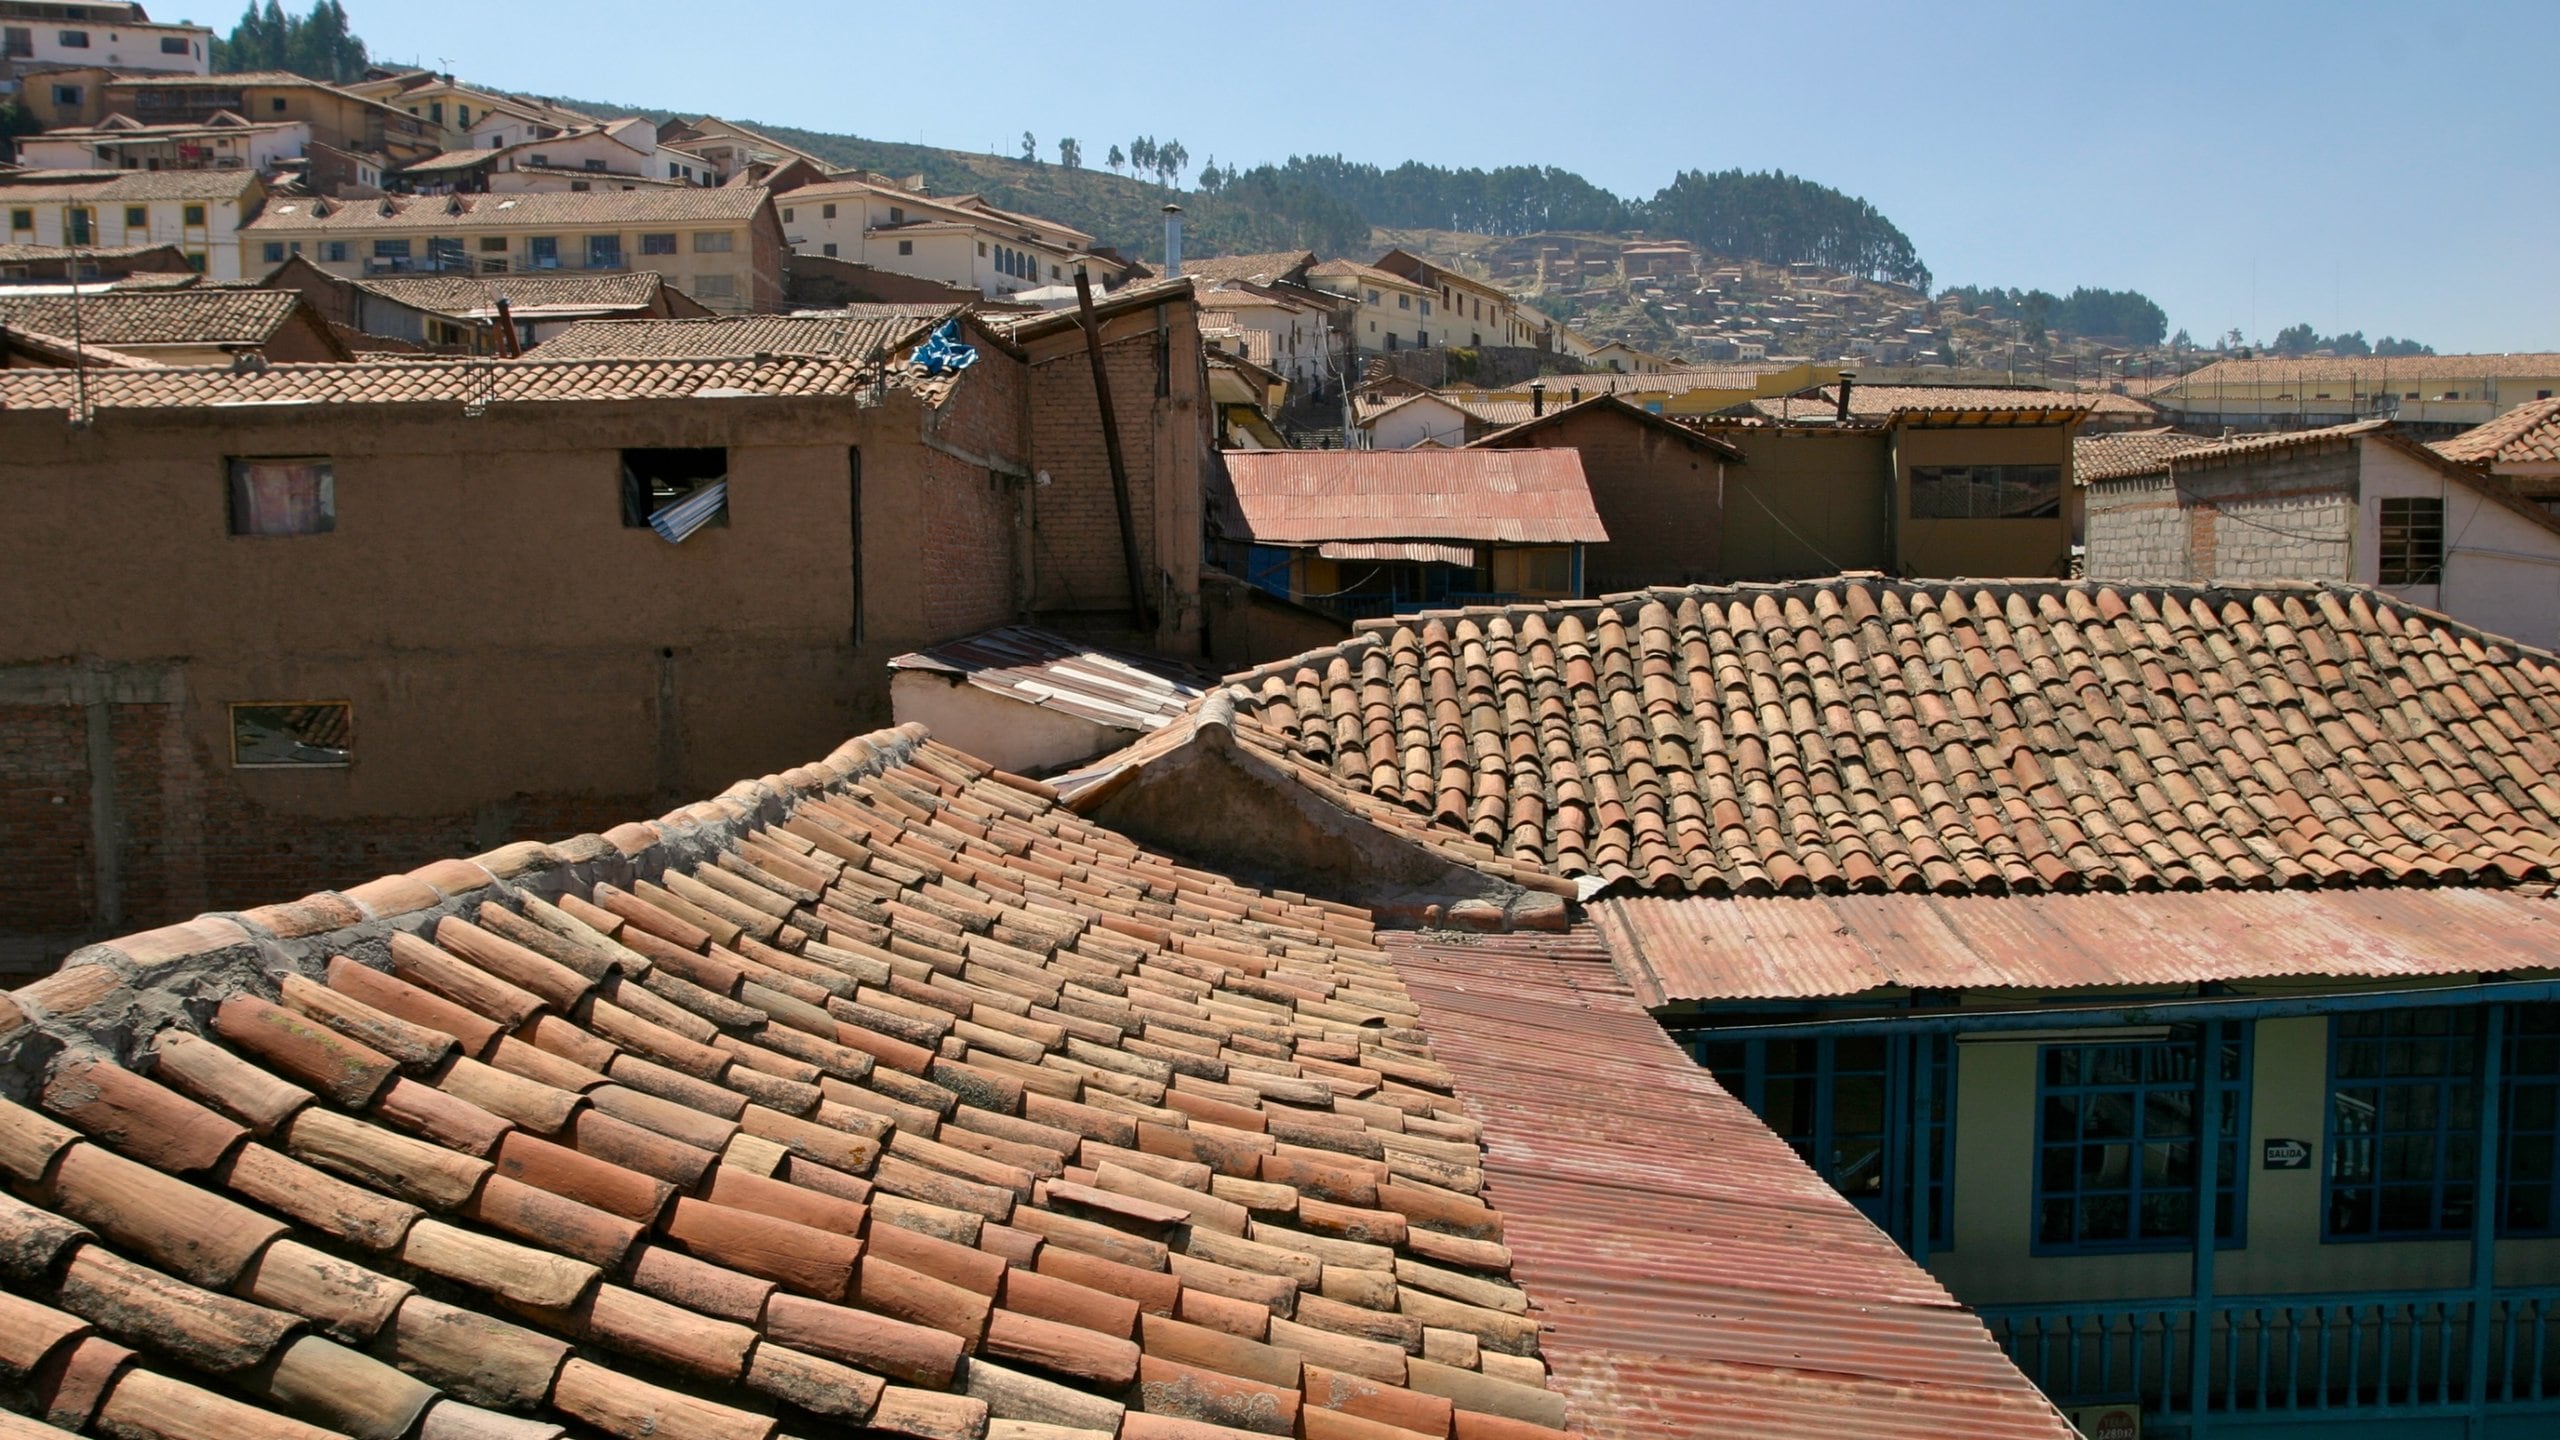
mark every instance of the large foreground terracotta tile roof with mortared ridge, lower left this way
{"type": "Point", "coordinates": [877, 1093]}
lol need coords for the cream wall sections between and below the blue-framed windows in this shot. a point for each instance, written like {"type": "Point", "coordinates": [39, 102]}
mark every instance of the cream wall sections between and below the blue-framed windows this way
{"type": "Point", "coordinates": [2282, 1254]}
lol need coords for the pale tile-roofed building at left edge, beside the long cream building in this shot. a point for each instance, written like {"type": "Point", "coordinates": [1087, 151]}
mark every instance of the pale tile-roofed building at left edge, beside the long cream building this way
{"type": "Point", "coordinates": [198, 211]}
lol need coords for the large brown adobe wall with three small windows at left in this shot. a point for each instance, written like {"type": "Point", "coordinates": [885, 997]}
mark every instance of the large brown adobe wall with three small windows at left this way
{"type": "Point", "coordinates": [516, 660]}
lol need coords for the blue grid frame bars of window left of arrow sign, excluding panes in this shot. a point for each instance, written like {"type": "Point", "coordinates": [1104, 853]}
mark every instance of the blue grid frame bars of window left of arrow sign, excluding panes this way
{"type": "Point", "coordinates": [2231, 1177]}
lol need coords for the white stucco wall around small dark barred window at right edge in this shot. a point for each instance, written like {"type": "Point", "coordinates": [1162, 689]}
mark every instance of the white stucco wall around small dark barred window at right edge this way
{"type": "Point", "coordinates": [2502, 570]}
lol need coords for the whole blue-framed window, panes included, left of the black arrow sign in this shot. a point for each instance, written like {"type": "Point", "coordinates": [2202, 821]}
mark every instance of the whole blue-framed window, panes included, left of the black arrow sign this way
{"type": "Point", "coordinates": [2116, 1144]}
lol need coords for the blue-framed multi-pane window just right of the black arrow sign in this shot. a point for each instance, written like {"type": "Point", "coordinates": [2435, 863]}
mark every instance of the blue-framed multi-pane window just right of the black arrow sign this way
{"type": "Point", "coordinates": [2405, 1124]}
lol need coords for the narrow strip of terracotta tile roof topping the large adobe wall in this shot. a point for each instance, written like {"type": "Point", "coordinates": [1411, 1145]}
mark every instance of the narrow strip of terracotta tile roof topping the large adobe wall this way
{"type": "Point", "coordinates": [444, 383]}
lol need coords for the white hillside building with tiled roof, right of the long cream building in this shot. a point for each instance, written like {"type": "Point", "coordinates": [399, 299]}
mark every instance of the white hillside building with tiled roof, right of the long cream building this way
{"type": "Point", "coordinates": [954, 240]}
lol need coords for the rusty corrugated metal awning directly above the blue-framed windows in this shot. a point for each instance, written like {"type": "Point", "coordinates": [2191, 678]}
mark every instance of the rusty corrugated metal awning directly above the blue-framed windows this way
{"type": "Point", "coordinates": [1850, 944]}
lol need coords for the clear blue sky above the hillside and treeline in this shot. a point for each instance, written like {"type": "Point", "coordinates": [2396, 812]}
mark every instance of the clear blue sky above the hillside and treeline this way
{"type": "Point", "coordinates": [2369, 168]}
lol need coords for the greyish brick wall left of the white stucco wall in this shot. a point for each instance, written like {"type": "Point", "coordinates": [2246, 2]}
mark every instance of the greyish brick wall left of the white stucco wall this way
{"type": "Point", "coordinates": [2285, 516]}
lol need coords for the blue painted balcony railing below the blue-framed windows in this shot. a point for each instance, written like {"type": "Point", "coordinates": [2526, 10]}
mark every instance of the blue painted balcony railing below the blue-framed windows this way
{"type": "Point", "coordinates": [2367, 1354]}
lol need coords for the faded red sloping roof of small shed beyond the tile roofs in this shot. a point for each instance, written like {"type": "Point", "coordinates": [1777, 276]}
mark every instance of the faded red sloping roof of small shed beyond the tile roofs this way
{"type": "Point", "coordinates": [1302, 498]}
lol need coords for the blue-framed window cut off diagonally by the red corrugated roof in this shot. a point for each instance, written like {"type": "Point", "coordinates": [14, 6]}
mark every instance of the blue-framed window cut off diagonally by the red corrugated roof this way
{"type": "Point", "coordinates": [1844, 1106]}
